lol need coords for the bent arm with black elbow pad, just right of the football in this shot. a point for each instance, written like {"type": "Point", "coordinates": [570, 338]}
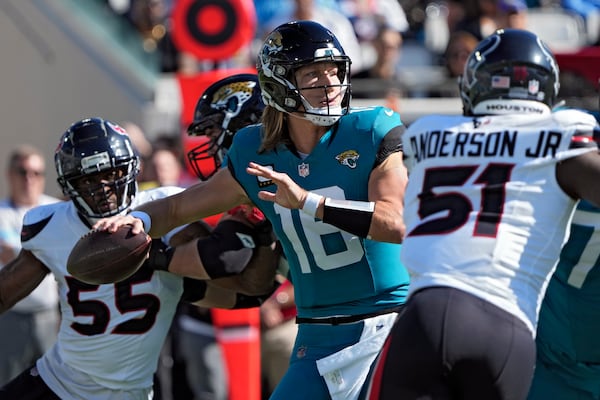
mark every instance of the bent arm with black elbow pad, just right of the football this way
{"type": "Point", "coordinates": [238, 255]}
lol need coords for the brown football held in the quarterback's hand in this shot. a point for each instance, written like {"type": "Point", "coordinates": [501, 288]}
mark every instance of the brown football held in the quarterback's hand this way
{"type": "Point", "coordinates": [100, 257]}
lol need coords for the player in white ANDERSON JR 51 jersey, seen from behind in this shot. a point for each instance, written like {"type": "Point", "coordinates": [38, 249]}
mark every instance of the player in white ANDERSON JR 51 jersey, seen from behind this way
{"type": "Point", "coordinates": [488, 203]}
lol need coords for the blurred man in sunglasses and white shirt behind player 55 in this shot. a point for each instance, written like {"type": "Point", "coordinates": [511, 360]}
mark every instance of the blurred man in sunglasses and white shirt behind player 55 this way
{"type": "Point", "coordinates": [30, 327]}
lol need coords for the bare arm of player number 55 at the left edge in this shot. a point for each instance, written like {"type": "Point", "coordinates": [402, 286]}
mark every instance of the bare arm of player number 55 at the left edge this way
{"type": "Point", "coordinates": [19, 277]}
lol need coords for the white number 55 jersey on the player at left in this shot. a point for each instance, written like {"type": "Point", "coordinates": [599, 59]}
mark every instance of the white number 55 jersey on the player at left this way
{"type": "Point", "coordinates": [110, 335]}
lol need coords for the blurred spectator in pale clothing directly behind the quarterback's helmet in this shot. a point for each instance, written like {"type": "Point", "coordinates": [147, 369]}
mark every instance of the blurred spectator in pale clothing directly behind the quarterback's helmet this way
{"type": "Point", "coordinates": [332, 19]}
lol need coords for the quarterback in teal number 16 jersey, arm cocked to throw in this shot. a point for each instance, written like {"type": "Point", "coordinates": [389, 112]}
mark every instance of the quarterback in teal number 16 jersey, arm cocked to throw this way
{"type": "Point", "coordinates": [331, 181]}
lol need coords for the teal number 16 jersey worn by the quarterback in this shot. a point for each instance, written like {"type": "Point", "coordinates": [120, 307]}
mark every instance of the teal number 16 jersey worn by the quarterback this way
{"type": "Point", "coordinates": [333, 271]}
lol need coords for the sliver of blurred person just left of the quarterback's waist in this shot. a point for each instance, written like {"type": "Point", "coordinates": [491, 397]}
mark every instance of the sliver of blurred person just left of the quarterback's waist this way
{"type": "Point", "coordinates": [278, 333]}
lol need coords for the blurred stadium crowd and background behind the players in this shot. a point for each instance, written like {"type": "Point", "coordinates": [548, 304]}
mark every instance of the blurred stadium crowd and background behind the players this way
{"type": "Point", "coordinates": [131, 61]}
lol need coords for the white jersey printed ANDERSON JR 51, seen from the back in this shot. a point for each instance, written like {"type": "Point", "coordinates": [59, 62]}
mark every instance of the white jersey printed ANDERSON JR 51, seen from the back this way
{"type": "Point", "coordinates": [483, 210]}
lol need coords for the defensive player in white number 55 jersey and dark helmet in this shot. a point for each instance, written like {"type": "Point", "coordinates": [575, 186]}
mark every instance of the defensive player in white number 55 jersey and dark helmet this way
{"type": "Point", "coordinates": [110, 335]}
